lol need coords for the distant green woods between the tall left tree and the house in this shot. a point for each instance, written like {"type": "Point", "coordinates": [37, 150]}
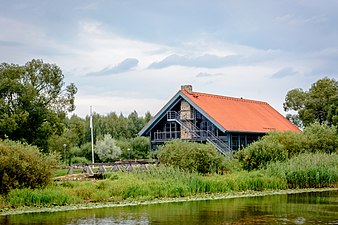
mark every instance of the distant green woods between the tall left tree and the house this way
{"type": "Point", "coordinates": [112, 133]}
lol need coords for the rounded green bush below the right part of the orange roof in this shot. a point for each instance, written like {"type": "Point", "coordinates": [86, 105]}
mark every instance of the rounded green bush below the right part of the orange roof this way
{"type": "Point", "coordinates": [258, 154]}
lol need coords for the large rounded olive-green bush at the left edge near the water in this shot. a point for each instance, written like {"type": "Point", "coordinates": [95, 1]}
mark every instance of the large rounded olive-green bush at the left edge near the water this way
{"type": "Point", "coordinates": [24, 166]}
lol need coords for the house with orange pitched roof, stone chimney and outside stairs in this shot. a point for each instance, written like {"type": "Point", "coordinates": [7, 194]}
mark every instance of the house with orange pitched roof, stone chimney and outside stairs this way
{"type": "Point", "coordinates": [226, 122]}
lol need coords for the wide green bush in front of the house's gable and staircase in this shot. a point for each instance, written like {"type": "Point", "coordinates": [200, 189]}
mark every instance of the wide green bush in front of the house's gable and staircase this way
{"type": "Point", "coordinates": [191, 156]}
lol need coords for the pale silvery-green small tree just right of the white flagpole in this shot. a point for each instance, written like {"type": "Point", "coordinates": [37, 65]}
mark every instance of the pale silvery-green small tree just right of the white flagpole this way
{"type": "Point", "coordinates": [107, 149]}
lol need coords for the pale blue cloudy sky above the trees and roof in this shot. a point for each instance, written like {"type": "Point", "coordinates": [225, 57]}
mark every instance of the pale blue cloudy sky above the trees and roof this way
{"type": "Point", "coordinates": [126, 55]}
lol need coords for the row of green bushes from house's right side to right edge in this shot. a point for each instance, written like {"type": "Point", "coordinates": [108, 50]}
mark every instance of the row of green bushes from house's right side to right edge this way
{"type": "Point", "coordinates": [278, 146]}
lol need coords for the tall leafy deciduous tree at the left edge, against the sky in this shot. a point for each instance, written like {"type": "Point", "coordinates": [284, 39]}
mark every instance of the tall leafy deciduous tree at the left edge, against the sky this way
{"type": "Point", "coordinates": [33, 101]}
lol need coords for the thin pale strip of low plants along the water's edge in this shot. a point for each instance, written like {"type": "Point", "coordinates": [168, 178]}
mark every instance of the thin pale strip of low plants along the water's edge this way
{"type": "Point", "coordinates": [124, 203]}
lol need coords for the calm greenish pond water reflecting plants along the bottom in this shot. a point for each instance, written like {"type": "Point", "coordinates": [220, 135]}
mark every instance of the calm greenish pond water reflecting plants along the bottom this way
{"type": "Point", "coordinates": [300, 208]}
